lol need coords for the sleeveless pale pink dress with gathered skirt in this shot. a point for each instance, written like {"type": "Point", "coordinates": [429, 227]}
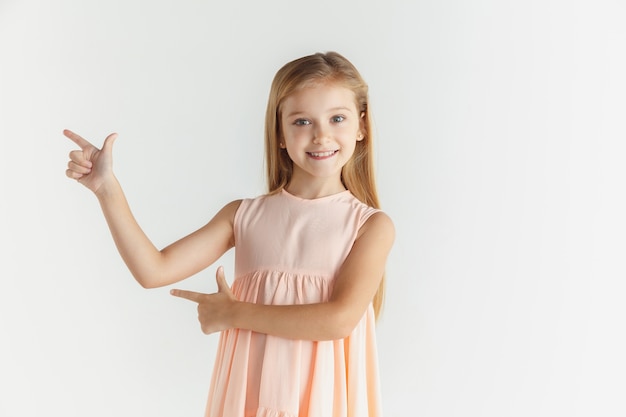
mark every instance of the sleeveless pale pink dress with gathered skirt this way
{"type": "Point", "coordinates": [288, 251]}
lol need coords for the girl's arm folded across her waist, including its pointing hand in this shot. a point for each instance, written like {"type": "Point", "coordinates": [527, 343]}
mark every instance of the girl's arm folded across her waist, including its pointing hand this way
{"type": "Point", "coordinates": [355, 286]}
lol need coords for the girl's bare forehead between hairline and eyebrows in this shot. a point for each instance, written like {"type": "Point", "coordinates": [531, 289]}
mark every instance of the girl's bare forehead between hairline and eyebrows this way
{"type": "Point", "coordinates": [319, 97]}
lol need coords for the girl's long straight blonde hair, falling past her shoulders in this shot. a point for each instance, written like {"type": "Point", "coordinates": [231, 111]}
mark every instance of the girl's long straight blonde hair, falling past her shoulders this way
{"type": "Point", "coordinates": [358, 173]}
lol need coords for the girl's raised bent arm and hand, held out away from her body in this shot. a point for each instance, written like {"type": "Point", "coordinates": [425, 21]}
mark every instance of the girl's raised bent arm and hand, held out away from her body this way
{"type": "Point", "coordinates": [151, 267]}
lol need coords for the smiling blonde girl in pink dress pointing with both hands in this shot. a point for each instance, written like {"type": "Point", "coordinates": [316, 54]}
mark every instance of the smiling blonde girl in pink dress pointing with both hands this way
{"type": "Point", "coordinates": [297, 327]}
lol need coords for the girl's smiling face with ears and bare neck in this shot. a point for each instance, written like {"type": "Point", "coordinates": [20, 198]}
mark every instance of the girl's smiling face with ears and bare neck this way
{"type": "Point", "coordinates": [320, 127]}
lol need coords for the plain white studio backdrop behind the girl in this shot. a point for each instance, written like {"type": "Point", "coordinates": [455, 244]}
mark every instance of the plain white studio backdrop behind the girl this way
{"type": "Point", "coordinates": [500, 145]}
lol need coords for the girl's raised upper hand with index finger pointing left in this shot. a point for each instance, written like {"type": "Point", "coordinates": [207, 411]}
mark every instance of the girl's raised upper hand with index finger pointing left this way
{"type": "Point", "coordinates": [90, 166]}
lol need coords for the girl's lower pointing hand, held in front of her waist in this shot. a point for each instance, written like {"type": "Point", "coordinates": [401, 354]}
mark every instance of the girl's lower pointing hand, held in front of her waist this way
{"type": "Point", "coordinates": [214, 310]}
